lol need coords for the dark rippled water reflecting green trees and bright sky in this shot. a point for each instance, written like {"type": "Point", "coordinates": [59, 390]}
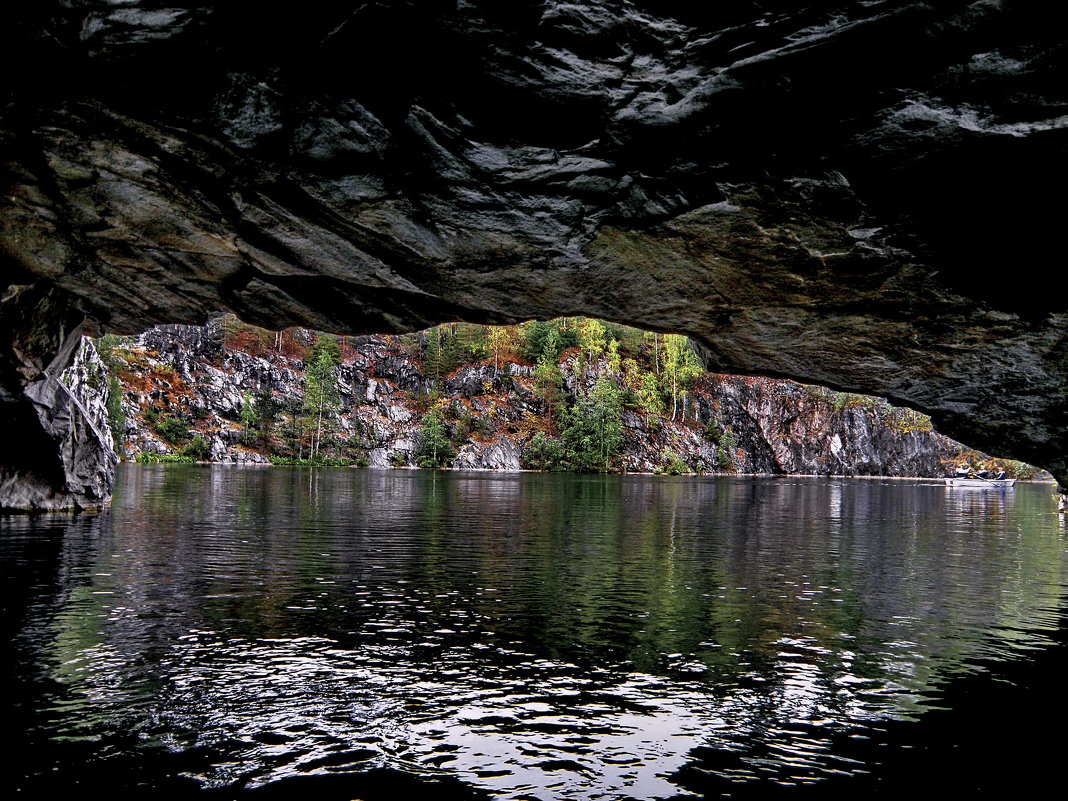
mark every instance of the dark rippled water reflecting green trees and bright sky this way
{"type": "Point", "coordinates": [349, 634]}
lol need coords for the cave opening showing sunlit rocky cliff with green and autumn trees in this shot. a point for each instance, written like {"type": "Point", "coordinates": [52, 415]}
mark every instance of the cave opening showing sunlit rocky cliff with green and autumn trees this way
{"type": "Point", "coordinates": [569, 395]}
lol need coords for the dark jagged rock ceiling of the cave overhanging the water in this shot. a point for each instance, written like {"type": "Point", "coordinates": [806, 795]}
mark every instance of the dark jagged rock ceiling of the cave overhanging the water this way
{"type": "Point", "coordinates": [819, 192]}
